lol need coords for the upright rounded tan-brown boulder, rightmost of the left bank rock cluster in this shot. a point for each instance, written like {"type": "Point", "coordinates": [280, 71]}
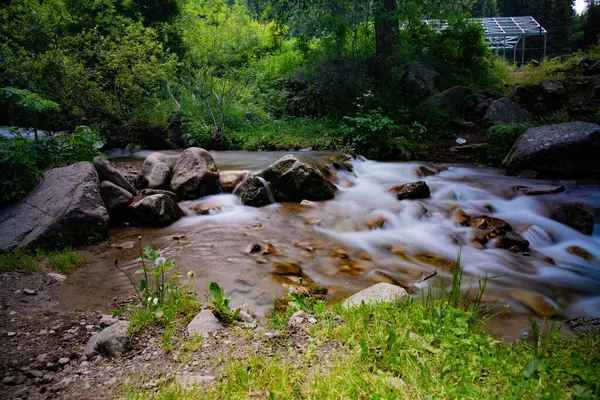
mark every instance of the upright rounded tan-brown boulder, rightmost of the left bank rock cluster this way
{"type": "Point", "coordinates": [195, 174]}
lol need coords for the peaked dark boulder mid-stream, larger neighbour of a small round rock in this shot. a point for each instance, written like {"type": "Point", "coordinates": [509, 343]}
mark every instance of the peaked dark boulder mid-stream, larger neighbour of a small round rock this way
{"type": "Point", "coordinates": [291, 180]}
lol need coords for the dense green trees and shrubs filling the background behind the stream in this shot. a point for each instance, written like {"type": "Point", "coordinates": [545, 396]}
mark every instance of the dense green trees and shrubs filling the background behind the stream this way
{"type": "Point", "coordinates": [229, 74]}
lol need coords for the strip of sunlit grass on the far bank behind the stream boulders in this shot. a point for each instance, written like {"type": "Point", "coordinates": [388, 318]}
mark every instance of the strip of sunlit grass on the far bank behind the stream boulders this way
{"type": "Point", "coordinates": [285, 134]}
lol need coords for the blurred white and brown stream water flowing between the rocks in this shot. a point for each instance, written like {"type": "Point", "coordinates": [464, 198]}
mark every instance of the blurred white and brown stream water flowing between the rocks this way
{"type": "Point", "coordinates": [337, 247]}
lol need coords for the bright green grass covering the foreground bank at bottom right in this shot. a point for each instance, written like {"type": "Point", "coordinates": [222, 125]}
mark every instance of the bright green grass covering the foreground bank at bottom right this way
{"type": "Point", "coordinates": [433, 349]}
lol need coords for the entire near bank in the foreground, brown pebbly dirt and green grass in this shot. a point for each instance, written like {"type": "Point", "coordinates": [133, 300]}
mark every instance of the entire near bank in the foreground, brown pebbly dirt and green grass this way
{"type": "Point", "coordinates": [402, 348]}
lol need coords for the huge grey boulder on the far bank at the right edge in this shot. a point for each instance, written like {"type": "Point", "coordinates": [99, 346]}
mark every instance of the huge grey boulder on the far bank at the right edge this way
{"type": "Point", "coordinates": [571, 149]}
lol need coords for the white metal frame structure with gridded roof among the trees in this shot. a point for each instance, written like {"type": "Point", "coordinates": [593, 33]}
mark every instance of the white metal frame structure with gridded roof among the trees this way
{"type": "Point", "coordinates": [509, 34]}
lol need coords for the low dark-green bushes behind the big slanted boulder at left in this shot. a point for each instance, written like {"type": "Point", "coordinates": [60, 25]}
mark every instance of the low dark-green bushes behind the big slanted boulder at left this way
{"type": "Point", "coordinates": [23, 160]}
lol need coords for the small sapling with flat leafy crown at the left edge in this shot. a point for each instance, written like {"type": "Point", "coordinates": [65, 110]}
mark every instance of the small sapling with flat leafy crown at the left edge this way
{"type": "Point", "coordinates": [30, 103]}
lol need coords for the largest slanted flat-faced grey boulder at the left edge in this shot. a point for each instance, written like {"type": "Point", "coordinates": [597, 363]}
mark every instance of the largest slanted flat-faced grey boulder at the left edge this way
{"type": "Point", "coordinates": [64, 209]}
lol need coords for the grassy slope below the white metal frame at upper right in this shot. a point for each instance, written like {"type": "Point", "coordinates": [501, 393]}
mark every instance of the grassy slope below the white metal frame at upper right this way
{"type": "Point", "coordinates": [550, 69]}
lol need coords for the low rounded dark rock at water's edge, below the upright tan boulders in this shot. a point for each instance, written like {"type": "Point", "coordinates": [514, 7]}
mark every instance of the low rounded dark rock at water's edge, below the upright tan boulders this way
{"type": "Point", "coordinates": [158, 209]}
